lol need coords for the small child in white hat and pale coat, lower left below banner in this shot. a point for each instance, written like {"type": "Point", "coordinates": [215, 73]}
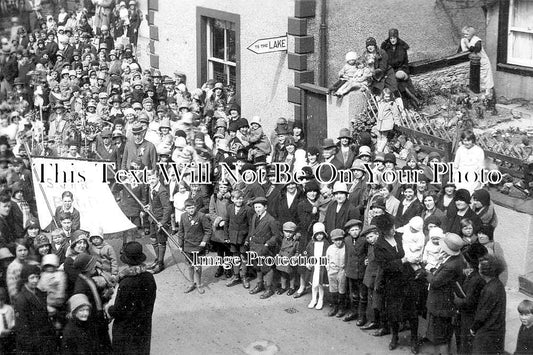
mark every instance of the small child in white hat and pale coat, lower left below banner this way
{"type": "Point", "coordinates": [53, 282]}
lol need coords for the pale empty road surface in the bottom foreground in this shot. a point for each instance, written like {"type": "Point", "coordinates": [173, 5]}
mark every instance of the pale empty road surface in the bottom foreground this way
{"type": "Point", "coordinates": [228, 320]}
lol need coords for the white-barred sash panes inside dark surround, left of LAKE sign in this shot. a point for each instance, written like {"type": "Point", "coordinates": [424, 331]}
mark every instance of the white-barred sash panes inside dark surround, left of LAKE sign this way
{"type": "Point", "coordinates": [221, 51]}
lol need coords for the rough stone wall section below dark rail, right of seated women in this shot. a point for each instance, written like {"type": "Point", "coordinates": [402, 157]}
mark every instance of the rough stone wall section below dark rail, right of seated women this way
{"type": "Point", "coordinates": [458, 73]}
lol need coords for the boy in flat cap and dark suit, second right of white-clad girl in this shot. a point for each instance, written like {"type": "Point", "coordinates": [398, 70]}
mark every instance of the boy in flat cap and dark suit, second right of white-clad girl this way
{"type": "Point", "coordinates": [356, 253]}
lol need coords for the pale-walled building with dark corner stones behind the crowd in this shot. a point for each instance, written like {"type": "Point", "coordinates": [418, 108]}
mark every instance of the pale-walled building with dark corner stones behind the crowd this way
{"type": "Point", "coordinates": [210, 39]}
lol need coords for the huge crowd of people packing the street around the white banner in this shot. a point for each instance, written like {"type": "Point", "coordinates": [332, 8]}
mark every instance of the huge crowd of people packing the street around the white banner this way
{"type": "Point", "coordinates": [71, 87]}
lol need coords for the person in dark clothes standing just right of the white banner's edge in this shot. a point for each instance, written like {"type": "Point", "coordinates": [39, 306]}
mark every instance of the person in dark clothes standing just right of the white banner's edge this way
{"type": "Point", "coordinates": [161, 209]}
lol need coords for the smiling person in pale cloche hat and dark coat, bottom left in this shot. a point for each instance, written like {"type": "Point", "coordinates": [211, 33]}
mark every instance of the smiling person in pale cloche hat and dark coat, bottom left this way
{"type": "Point", "coordinates": [79, 337]}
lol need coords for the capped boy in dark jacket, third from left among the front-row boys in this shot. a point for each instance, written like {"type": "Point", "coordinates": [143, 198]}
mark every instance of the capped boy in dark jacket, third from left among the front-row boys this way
{"type": "Point", "coordinates": [264, 240]}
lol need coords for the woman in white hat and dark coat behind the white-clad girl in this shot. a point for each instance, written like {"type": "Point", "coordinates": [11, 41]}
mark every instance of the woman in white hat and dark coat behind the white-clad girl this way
{"type": "Point", "coordinates": [339, 211]}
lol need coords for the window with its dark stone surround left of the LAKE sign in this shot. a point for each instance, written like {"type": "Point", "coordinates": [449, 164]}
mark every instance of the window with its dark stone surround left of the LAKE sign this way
{"type": "Point", "coordinates": [218, 47]}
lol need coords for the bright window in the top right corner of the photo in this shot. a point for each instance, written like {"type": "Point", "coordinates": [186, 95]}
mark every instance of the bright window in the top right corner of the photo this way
{"type": "Point", "coordinates": [520, 35]}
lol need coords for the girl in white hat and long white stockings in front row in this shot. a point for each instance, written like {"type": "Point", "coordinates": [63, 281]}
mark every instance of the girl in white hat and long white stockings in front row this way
{"type": "Point", "coordinates": [315, 251]}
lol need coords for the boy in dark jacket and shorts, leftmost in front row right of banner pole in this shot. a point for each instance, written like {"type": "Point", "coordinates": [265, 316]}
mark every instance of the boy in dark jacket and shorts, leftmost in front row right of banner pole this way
{"type": "Point", "coordinates": [193, 235]}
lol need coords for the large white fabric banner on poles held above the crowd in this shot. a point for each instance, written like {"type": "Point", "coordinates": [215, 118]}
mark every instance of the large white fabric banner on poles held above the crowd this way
{"type": "Point", "coordinates": [92, 196]}
